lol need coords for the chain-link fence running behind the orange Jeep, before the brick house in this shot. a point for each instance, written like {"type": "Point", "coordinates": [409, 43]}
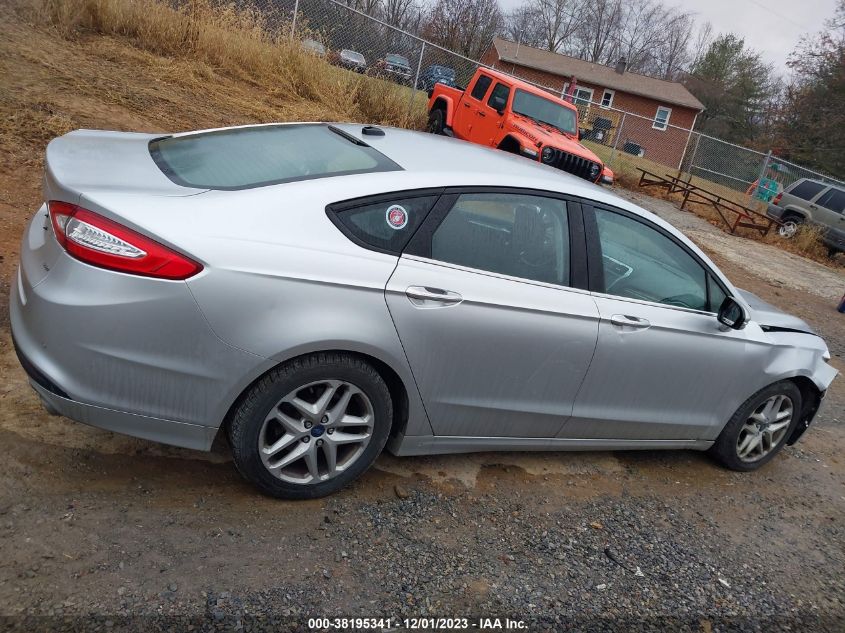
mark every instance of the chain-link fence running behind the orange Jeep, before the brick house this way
{"type": "Point", "coordinates": [624, 140]}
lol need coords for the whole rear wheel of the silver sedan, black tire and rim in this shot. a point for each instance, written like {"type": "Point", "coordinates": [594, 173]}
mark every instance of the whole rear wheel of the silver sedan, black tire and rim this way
{"type": "Point", "coordinates": [352, 422]}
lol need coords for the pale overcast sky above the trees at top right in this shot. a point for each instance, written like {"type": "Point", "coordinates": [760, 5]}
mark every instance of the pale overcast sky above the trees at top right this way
{"type": "Point", "coordinates": [772, 27]}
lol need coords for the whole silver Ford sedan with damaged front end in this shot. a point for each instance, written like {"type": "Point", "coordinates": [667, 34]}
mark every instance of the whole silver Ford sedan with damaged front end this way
{"type": "Point", "coordinates": [319, 292]}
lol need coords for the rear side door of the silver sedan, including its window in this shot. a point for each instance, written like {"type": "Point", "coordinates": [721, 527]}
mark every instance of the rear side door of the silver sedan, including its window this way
{"type": "Point", "coordinates": [497, 335]}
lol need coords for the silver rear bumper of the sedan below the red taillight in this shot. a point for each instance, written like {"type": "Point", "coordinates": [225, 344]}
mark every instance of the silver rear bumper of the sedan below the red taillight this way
{"type": "Point", "coordinates": [125, 353]}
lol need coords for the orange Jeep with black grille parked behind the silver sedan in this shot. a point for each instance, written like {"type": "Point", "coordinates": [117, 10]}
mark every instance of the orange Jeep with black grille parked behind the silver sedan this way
{"type": "Point", "coordinates": [512, 115]}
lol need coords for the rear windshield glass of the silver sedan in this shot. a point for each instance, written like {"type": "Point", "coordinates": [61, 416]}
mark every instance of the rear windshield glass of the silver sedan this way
{"type": "Point", "coordinates": [248, 157]}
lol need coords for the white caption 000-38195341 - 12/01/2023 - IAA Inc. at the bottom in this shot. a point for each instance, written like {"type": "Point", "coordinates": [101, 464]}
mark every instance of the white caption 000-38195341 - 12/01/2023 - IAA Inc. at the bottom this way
{"type": "Point", "coordinates": [417, 624]}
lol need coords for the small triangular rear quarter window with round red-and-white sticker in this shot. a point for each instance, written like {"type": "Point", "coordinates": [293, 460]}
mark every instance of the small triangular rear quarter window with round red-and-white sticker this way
{"type": "Point", "coordinates": [385, 223]}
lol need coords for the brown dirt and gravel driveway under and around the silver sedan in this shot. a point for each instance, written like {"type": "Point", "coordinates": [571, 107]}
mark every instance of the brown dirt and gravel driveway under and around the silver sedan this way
{"type": "Point", "coordinates": [144, 537]}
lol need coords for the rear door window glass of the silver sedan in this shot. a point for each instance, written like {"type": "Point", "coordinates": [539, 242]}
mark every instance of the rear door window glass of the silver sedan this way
{"type": "Point", "coordinates": [518, 235]}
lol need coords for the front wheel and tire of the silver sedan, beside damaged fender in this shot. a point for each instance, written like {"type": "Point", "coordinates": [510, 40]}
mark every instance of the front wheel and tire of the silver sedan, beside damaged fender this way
{"type": "Point", "coordinates": [736, 447]}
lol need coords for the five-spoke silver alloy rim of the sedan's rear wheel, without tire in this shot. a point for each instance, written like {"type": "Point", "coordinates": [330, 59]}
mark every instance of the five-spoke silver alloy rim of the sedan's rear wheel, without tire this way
{"type": "Point", "coordinates": [316, 431]}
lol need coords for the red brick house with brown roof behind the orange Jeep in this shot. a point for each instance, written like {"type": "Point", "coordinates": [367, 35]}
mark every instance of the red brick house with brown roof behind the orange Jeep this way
{"type": "Point", "coordinates": [666, 109]}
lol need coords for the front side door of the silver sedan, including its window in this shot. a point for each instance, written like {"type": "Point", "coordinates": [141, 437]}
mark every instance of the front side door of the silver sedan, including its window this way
{"type": "Point", "coordinates": [664, 369]}
